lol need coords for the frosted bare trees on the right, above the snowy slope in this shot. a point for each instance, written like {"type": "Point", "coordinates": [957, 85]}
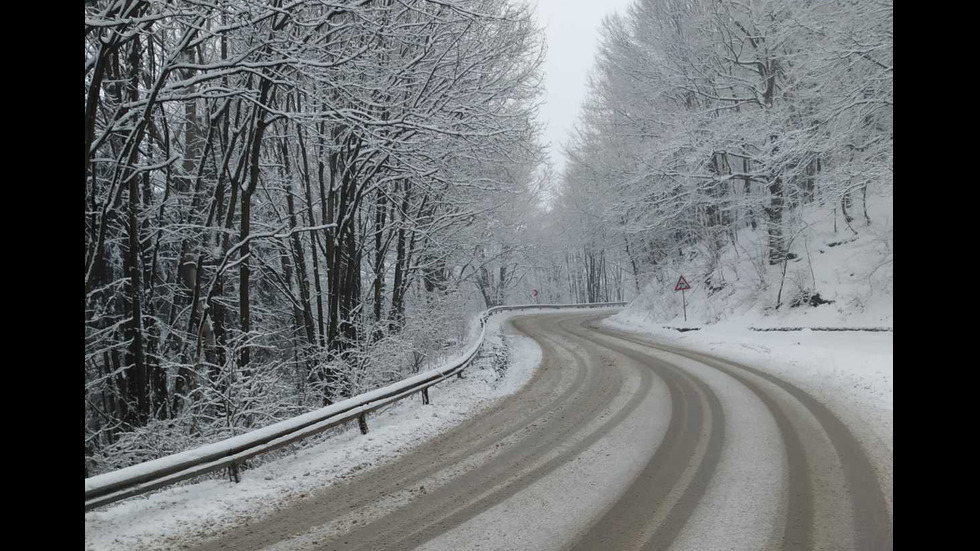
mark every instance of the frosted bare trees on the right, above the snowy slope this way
{"type": "Point", "coordinates": [708, 117]}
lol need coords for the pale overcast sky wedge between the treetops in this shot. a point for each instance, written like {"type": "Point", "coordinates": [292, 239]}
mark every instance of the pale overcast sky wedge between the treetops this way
{"type": "Point", "coordinates": [572, 30]}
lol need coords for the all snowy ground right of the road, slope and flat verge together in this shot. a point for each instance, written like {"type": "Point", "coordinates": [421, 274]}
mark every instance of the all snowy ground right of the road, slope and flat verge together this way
{"type": "Point", "coordinates": [850, 372]}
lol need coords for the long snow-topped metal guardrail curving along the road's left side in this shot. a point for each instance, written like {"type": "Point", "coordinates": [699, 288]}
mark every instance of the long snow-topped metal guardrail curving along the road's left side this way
{"type": "Point", "coordinates": [137, 479]}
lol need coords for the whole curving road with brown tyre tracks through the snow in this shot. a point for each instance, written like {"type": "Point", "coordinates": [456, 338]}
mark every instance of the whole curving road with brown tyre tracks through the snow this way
{"type": "Point", "coordinates": [616, 443]}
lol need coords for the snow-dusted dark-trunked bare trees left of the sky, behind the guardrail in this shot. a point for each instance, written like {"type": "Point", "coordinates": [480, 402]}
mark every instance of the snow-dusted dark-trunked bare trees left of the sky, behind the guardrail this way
{"type": "Point", "coordinates": [268, 182]}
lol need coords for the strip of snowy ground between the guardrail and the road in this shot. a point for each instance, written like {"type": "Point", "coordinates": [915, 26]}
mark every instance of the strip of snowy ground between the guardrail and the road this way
{"type": "Point", "coordinates": [168, 518]}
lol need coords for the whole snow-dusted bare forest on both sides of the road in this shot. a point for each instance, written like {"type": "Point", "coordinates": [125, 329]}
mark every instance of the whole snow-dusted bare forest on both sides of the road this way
{"type": "Point", "coordinates": [289, 202]}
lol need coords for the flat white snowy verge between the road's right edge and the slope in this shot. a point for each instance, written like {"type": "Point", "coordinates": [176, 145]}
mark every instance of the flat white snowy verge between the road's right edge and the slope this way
{"type": "Point", "coordinates": [851, 373]}
